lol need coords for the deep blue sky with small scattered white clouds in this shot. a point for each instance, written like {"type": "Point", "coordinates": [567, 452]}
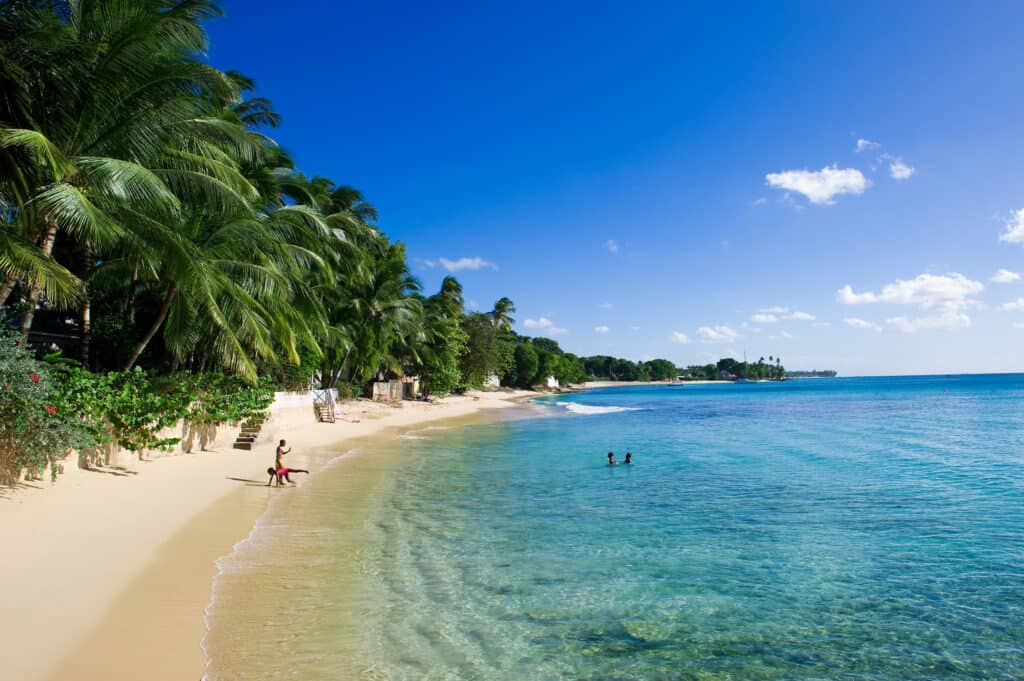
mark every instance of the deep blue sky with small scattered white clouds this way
{"type": "Point", "coordinates": [652, 180]}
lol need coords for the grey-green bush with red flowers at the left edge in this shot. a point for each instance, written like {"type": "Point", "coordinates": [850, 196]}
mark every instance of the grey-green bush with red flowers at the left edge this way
{"type": "Point", "coordinates": [34, 433]}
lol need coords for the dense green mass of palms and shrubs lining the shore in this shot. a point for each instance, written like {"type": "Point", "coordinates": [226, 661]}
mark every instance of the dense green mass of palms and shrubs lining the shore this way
{"type": "Point", "coordinates": [155, 234]}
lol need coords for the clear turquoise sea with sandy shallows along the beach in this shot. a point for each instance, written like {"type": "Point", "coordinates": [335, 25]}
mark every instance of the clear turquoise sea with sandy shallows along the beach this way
{"type": "Point", "coordinates": [859, 529]}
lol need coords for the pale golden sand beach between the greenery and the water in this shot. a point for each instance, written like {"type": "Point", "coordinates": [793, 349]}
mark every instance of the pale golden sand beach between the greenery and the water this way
{"type": "Point", "coordinates": [109, 574]}
